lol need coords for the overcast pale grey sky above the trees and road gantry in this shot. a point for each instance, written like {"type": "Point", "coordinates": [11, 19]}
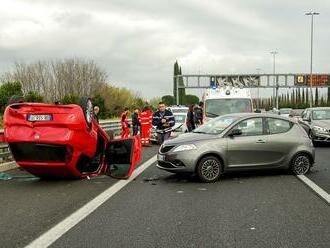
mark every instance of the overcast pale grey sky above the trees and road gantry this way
{"type": "Point", "coordinates": [137, 41]}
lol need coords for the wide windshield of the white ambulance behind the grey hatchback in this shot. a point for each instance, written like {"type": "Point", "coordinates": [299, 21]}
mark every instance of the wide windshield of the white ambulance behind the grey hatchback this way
{"type": "Point", "coordinates": [218, 107]}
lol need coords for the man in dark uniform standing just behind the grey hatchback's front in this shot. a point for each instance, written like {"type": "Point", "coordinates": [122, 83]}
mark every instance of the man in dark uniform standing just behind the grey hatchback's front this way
{"type": "Point", "coordinates": [163, 119]}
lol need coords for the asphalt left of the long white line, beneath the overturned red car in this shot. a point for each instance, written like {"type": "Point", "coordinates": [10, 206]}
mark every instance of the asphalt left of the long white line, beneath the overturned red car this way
{"type": "Point", "coordinates": [30, 206]}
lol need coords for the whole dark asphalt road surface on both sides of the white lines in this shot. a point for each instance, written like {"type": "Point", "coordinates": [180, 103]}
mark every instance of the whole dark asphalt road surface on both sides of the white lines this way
{"type": "Point", "coordinates": [159, 209]}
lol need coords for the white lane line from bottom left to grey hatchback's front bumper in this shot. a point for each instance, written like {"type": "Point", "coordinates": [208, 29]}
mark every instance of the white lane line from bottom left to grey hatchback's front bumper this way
{"type": "Point", "coordinates": [61, 228]}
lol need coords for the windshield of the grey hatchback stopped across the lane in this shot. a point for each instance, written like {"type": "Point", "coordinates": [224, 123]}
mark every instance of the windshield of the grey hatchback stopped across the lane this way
{"type": "Point", "coordinates": [217, 125]}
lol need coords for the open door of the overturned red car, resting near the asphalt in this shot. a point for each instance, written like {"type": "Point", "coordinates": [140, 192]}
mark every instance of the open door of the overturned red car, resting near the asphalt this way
{"type": "Point", "coordinates": [122, 156]}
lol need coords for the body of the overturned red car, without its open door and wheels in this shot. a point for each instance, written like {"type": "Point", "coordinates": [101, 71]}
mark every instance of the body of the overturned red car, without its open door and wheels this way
{"type": "Point", "coordinates": [66, 146]}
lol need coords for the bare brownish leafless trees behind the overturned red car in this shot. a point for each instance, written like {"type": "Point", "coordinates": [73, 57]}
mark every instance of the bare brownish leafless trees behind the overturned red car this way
{"type": "Point", "coordinates": [55, 79]}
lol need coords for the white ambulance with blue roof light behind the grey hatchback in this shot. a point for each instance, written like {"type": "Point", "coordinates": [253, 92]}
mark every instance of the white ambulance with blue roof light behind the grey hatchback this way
{"type": "Point", "coordinates": [226, 100]}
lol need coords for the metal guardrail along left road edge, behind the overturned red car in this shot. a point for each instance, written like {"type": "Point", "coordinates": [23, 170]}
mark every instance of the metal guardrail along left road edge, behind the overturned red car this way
{"type": "Point", "coordinates": [5, 154]}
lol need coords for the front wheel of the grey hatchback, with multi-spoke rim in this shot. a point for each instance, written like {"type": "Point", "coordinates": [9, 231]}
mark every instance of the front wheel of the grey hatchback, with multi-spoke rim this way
{"type": "Point", "coordinates": [209, 169]}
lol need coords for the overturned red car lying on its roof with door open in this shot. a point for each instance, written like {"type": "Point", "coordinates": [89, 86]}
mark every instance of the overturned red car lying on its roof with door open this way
{"type": "Point", "coordinates": [50, 140]}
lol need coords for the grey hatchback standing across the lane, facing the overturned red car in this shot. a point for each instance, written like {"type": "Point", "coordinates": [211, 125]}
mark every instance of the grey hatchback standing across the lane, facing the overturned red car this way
{"type": "Point", "coordinates": [238, 142]}
